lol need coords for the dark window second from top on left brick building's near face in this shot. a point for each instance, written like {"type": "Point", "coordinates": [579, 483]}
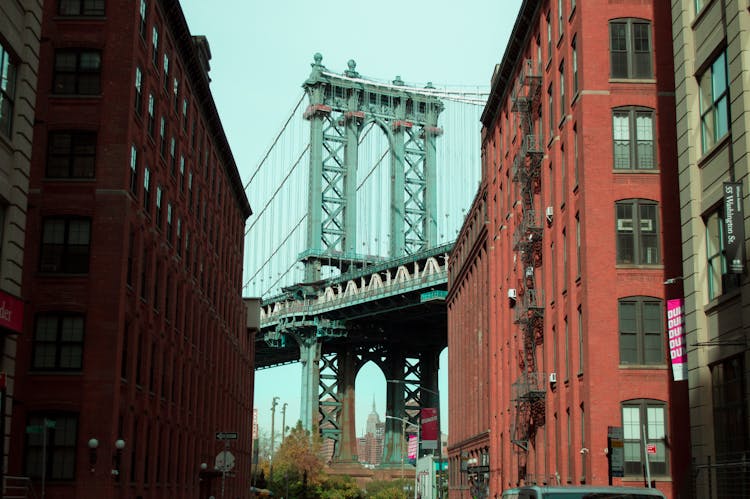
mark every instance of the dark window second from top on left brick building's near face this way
{"type": "Point", "coordinates": [77, 72]}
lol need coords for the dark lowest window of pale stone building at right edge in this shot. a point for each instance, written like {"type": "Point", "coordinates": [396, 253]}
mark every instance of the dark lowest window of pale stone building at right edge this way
{"type": "Point", "coordinates": [730, 408]}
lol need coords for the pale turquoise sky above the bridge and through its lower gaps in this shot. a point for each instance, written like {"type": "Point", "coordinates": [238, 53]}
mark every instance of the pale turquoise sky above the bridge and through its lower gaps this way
{"type": "Point", "coordinates": [261, 54]}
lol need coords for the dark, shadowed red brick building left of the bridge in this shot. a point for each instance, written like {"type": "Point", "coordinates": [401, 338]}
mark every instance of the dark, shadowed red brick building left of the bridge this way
{"type": "Point", "coordinates": [135, 350]}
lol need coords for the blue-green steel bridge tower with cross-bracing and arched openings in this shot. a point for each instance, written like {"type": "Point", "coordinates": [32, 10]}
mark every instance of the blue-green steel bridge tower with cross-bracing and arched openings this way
{"type": "Point", "coordinates": [340, 107]}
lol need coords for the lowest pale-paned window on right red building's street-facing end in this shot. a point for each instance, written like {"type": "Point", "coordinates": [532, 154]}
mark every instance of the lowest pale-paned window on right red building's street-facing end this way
{"type": "Point", "coordinates": [635, 415]}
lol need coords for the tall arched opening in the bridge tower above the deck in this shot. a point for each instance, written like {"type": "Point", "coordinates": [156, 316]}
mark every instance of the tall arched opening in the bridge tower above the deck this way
{"type": "Point", "coordinates": [374, 193]}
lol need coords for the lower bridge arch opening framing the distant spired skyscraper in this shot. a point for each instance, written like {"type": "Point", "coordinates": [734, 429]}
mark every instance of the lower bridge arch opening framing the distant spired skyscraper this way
{"type": "Point", "coordinates": [370, 390]}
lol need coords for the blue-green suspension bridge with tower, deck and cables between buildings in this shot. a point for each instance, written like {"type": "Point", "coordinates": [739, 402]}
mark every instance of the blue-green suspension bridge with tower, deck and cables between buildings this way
{"type": "Point", "coordinates": [361, 196]}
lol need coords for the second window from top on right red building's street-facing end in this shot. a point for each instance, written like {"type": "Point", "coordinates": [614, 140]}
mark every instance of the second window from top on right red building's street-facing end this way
{"type": "Point", "coordinates": [633, 139]}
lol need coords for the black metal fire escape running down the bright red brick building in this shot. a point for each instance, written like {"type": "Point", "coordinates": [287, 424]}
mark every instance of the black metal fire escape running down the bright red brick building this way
{"type": "Point", "coordinates": [528, 391]}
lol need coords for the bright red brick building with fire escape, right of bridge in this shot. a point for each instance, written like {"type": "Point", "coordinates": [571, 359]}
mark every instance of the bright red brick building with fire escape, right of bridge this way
{"type": "Point", "coordinates": [582, 230]}
